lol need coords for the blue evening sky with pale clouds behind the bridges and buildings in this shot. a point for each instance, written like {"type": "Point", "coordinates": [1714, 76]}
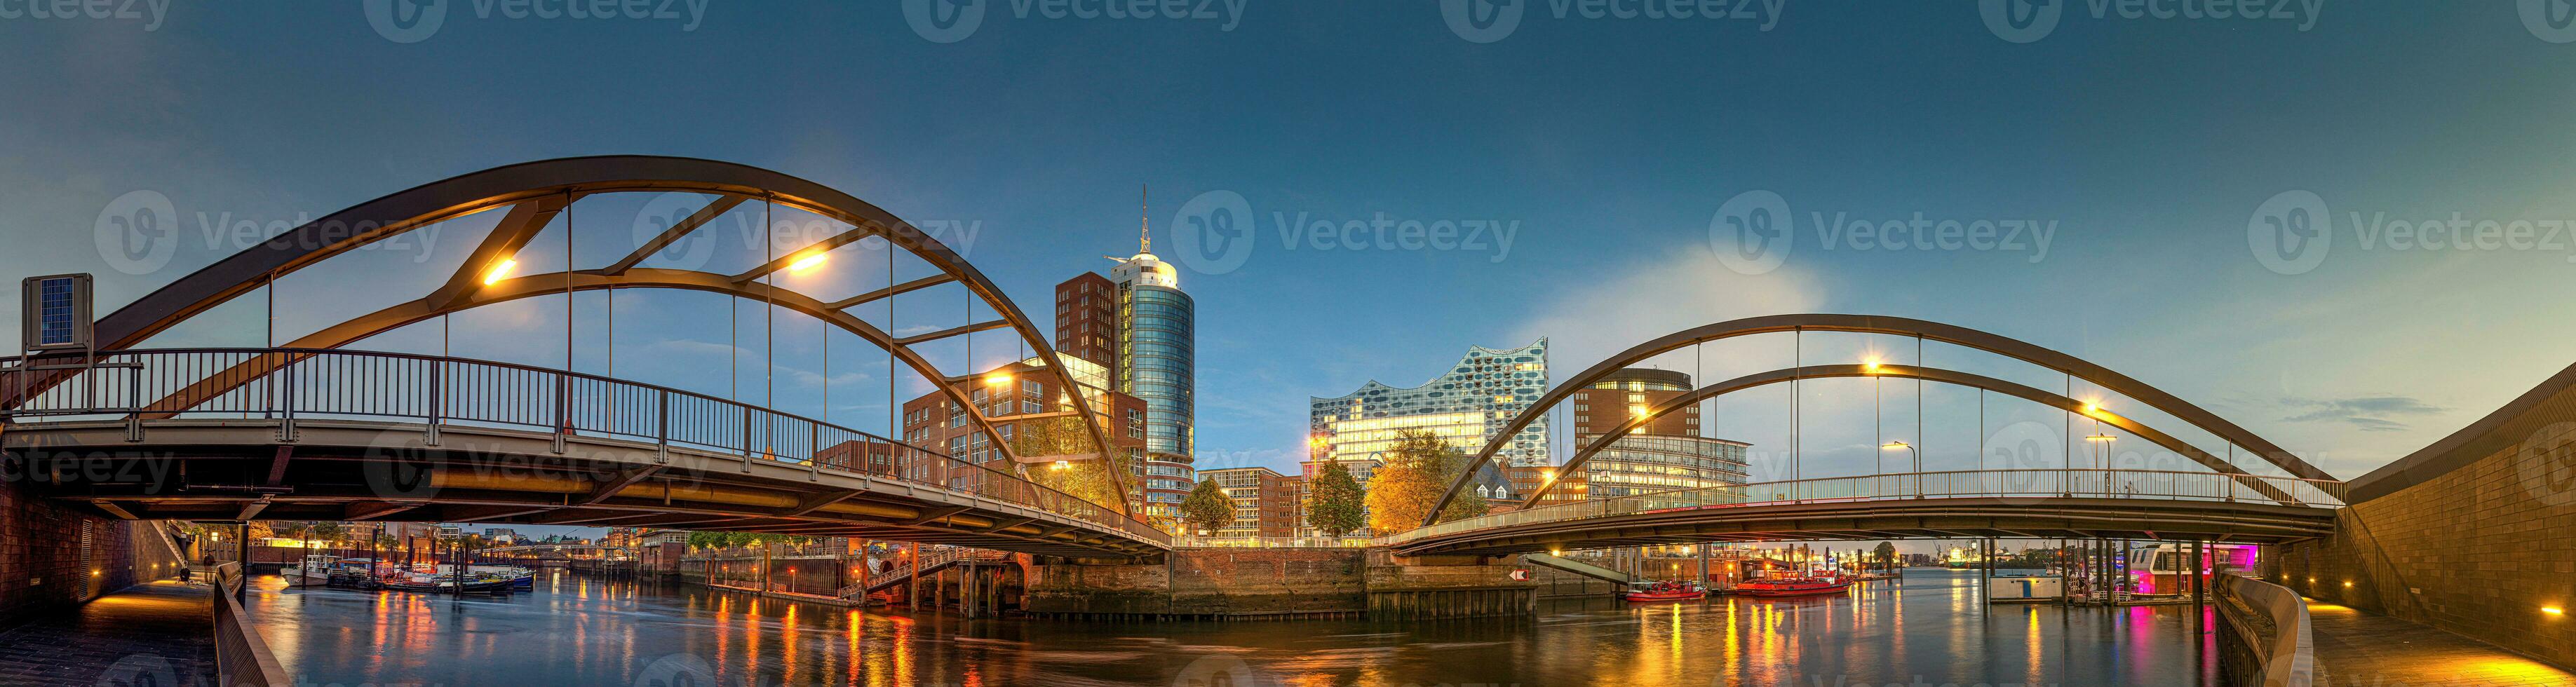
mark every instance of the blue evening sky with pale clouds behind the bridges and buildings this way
{"type": "Point", "coordinates": [2147, 151]}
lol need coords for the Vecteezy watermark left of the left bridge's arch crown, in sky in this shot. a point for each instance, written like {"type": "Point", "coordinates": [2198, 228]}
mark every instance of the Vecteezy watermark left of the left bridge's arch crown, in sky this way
{"type": "Point", "coordinates": [143, 230]}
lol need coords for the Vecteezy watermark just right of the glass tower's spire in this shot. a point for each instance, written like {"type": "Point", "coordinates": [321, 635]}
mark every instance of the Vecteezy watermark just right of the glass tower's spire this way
{"type": "Point", "coordinates": [1215, 233]}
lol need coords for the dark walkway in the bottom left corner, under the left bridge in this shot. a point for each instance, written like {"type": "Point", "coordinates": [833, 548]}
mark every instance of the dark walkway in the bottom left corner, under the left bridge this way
{"type": "Point", "coordinates": [151, 634]}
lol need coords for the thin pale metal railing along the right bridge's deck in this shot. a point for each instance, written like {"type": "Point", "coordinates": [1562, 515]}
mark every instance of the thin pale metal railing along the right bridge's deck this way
{"type": "Point", "coordinates": [1941, 485]}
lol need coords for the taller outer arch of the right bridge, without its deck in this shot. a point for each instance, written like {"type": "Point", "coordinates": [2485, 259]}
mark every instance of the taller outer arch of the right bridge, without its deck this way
{"type": "Point", "coordinates": [1887, 325]}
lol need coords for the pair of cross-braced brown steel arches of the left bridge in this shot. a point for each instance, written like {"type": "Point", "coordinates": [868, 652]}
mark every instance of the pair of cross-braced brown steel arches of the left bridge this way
{"type": "Point", "coordinates": [532, 194]}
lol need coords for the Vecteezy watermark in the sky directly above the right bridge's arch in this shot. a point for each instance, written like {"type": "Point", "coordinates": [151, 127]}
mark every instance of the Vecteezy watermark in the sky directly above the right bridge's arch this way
{"type": "Point", "coordinates": [1756, 230]}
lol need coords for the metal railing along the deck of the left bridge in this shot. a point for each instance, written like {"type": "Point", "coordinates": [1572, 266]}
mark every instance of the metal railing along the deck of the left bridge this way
{"type": "Point", "coordinates": [290, 385]}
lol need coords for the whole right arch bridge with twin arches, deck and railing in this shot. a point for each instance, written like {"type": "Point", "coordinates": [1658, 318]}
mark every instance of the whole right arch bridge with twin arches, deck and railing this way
{"type": "Point", "coordinates": [2070, 503]}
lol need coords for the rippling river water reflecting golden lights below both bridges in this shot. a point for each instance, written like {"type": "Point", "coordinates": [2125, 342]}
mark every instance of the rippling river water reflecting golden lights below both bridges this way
{"type": "Point", "coordinates": [589, 632]}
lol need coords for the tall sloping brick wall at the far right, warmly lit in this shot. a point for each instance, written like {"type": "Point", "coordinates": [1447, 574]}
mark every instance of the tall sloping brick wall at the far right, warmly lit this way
{"type": "Point", "coordinates": [2474, 534]}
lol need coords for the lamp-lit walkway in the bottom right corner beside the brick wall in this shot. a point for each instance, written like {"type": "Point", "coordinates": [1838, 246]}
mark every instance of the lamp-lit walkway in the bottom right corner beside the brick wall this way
{"type": "Point", "coordinates": [2374, 650]}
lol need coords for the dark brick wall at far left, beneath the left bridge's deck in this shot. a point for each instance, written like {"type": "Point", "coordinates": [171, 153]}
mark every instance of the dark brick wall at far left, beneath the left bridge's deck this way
{"type": "Point", "coordinates": [43, 554]}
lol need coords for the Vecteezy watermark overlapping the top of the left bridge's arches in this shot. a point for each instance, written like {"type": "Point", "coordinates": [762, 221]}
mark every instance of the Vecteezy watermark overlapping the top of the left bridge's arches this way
{"type": "Point", "coordinates": [743, 230]}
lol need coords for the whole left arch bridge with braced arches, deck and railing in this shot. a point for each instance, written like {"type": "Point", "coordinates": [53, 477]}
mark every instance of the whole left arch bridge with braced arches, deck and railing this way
{"type": "Point", "coordinates": [336, 434]}
